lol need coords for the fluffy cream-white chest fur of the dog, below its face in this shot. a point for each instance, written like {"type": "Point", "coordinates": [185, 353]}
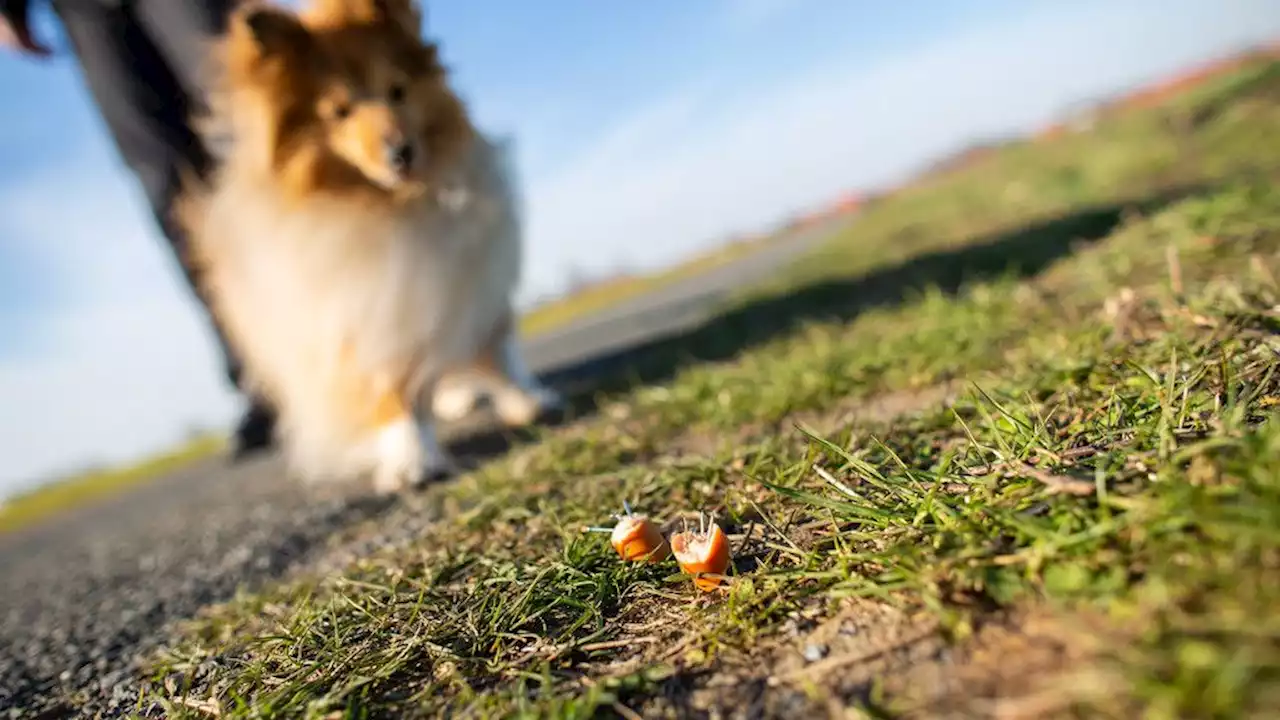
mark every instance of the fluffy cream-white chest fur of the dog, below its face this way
{"type": "Point", "coordinates": [319, 291]}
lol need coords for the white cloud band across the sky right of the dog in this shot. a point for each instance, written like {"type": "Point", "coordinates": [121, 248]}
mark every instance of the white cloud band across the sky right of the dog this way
{"type": "Point", "coordinates": [694, 167]}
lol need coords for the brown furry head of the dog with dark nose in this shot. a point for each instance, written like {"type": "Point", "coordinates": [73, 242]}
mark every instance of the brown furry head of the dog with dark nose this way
{"type": "Point", "coordinates": [353, 93]}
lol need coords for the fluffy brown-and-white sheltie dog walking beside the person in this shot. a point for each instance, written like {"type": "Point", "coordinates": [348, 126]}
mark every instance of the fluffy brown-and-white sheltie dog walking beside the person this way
{"type": "Point", "coordinates": [360, 240]}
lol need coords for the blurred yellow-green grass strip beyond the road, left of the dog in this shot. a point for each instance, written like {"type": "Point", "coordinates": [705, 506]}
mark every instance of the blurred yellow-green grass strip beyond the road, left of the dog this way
{"type": "Point", "coordinates": [28, 509]}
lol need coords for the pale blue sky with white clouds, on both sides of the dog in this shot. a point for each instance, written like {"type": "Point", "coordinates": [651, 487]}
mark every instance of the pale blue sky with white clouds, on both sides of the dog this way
{"type": "Point", "coordinates": [644, 133]}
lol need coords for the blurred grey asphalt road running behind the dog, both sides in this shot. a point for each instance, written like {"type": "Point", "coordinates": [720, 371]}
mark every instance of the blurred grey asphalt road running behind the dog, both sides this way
{"type": "Point", "coordinates": [88, 591]}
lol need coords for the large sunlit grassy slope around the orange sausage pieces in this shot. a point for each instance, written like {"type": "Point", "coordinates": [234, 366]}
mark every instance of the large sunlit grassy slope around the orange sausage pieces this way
{"type": "Point", "coordinates": [1008, 446]}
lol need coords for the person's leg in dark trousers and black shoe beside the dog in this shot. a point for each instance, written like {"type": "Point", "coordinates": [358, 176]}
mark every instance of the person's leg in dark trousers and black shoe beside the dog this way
{"type": "Point", "coordinates": [147, 103]}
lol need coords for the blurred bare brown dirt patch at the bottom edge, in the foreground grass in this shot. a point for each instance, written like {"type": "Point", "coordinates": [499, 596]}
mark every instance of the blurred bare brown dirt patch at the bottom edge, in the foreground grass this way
{"type": "Point", "coordinates": [870, 658]}
